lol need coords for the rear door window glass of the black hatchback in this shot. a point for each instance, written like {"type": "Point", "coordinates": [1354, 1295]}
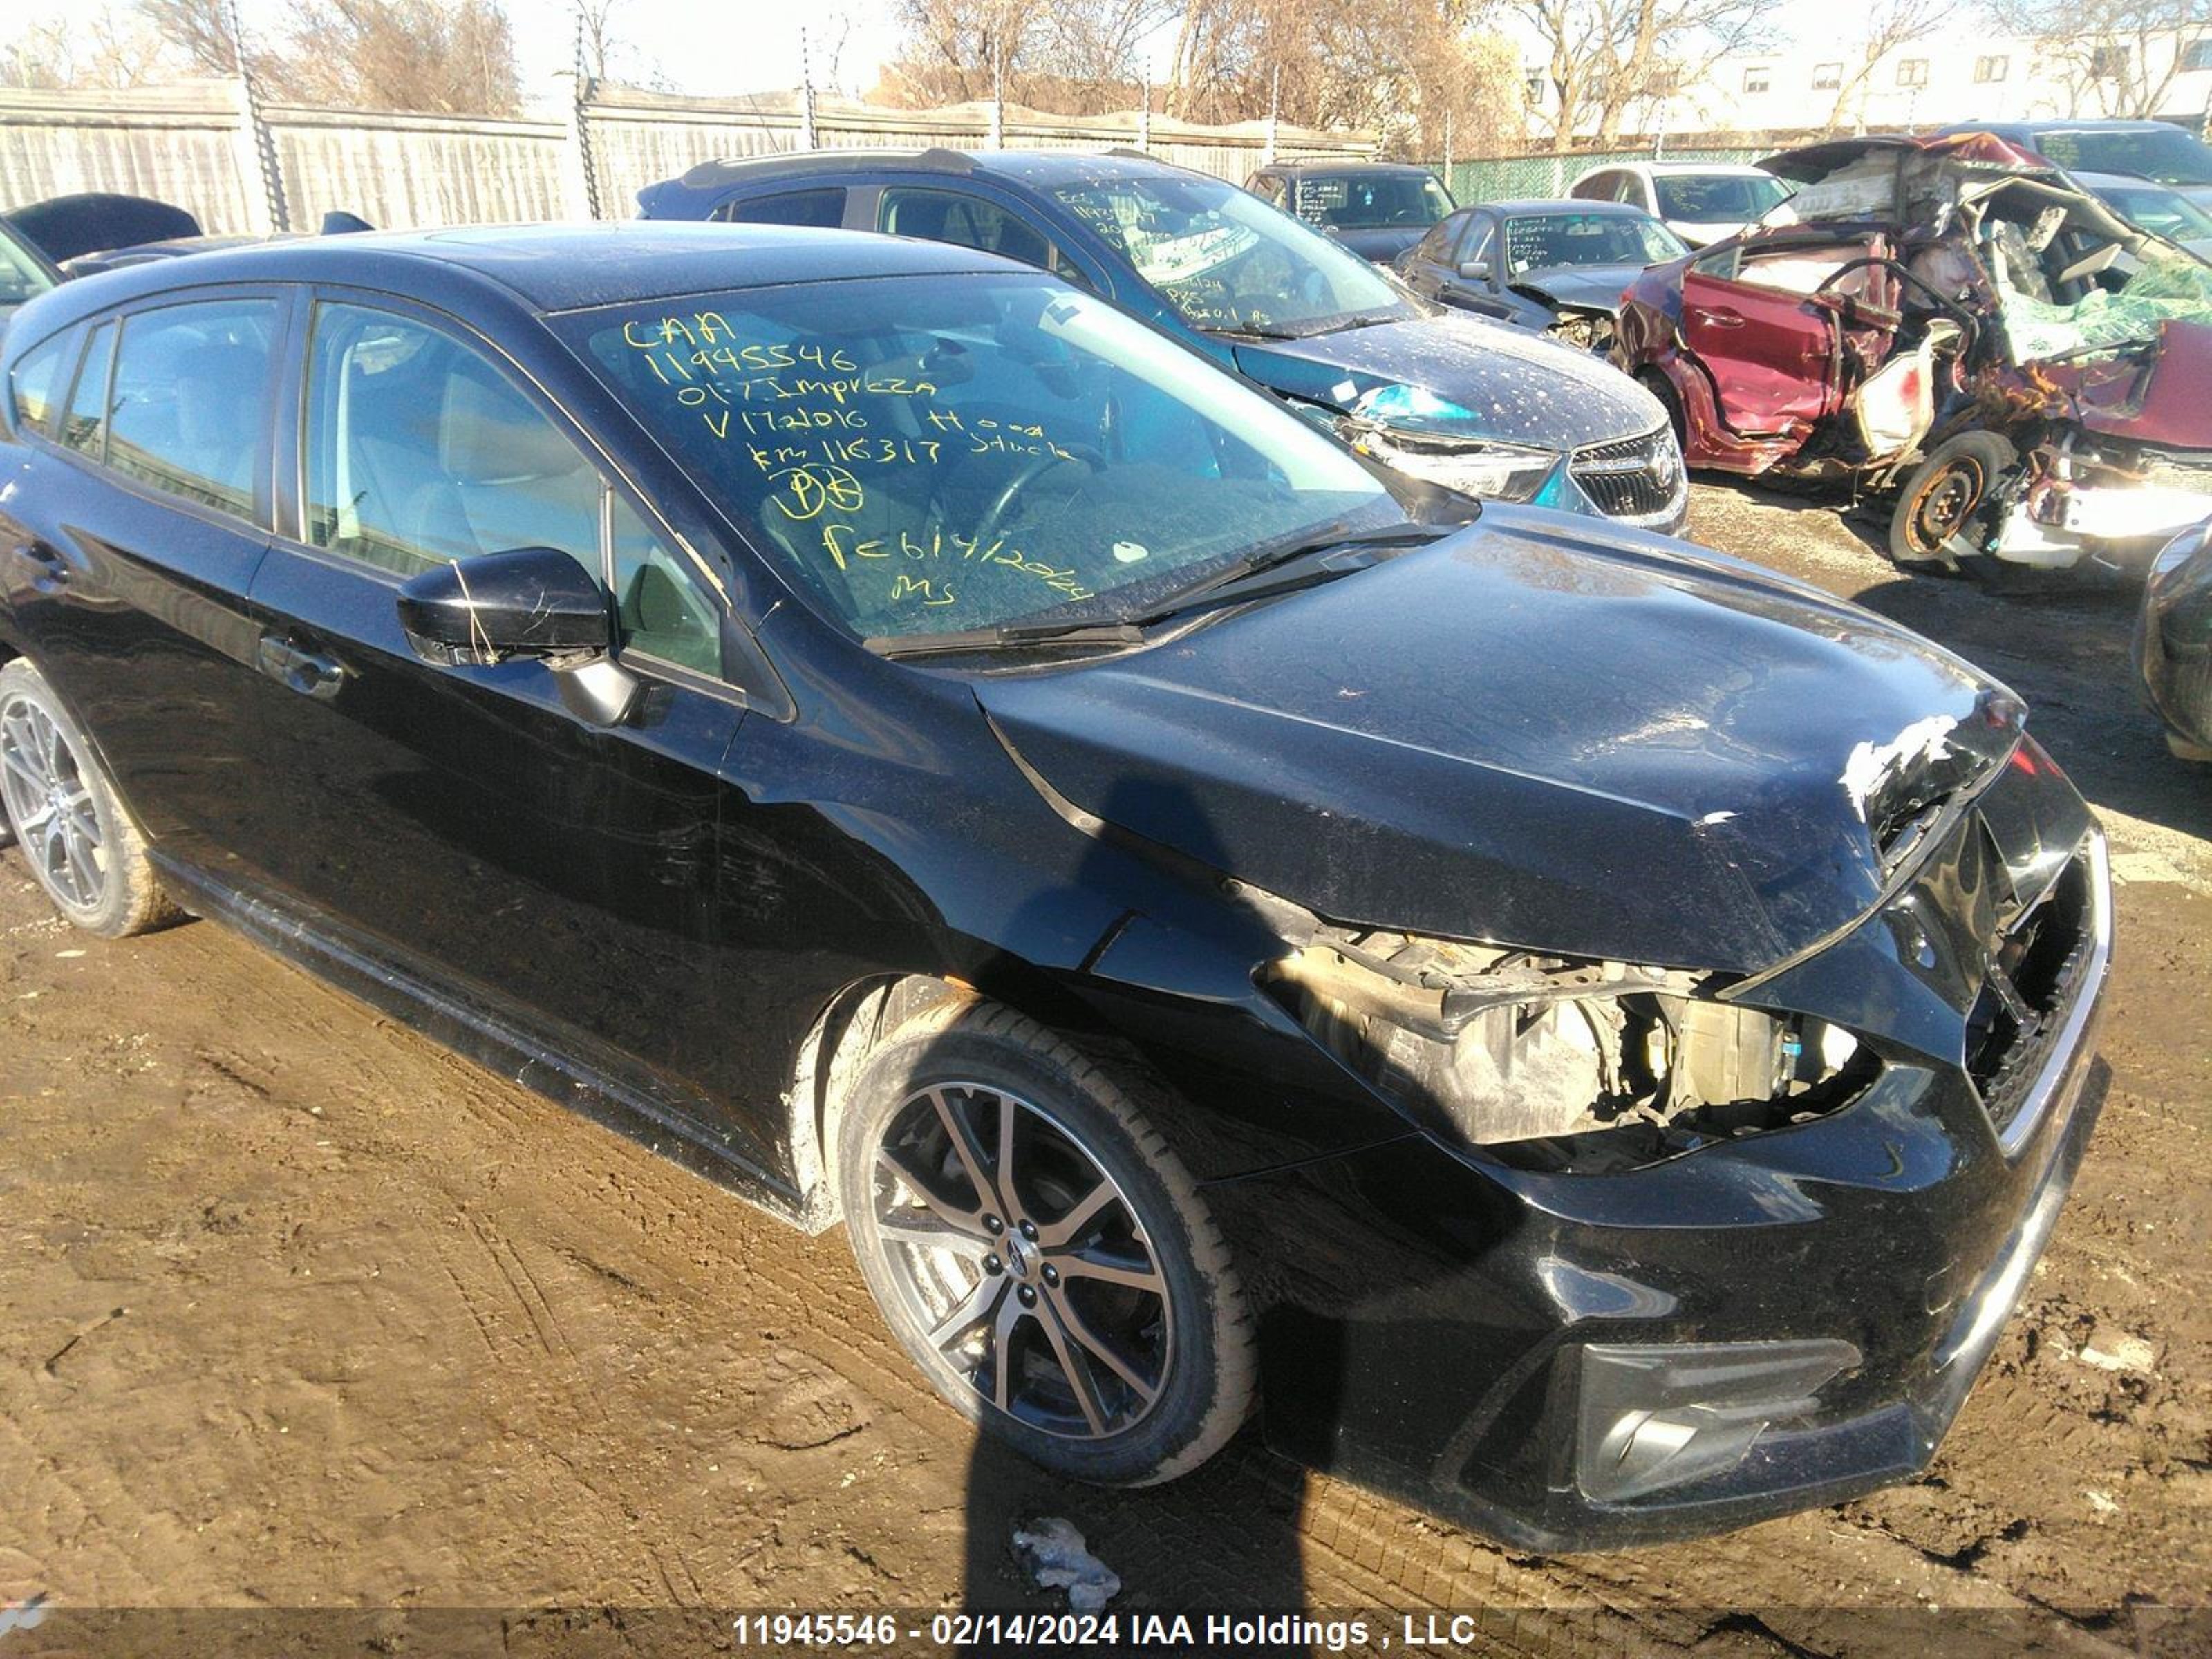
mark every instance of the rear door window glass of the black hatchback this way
{"type": "Point", "coordinates": [191, 384]}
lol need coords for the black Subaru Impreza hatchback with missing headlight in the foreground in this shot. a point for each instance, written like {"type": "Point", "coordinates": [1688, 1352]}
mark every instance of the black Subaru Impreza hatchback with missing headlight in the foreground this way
{"type": "Point", "coordinates": [1587, 1036]}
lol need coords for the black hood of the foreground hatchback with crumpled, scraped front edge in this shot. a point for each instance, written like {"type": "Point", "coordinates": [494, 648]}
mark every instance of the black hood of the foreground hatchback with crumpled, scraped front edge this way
{"type": "Point", "coordinates": [1534, 733]}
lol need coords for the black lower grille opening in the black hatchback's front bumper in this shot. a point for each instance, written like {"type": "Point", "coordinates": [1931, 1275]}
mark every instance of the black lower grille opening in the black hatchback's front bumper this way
{"type": "Point", "coordinates": [2045, 952]}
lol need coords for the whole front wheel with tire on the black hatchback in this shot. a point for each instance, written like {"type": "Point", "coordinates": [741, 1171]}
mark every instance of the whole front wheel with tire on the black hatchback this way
{"type": "Point", "coordinates": [1041, 1251]}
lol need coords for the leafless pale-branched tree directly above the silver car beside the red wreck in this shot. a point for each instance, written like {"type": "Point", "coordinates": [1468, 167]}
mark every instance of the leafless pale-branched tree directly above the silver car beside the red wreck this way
{"type": "Point", "coordinates": [1607, 56]}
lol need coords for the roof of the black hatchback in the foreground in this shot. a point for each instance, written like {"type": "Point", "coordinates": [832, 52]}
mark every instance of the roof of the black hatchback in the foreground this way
{"type": "Point", "coordinates": [550, 269]}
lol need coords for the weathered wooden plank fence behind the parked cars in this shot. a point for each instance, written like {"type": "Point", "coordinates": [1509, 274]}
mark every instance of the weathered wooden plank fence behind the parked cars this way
{"type": "Point", "coordinates": [244, 167]}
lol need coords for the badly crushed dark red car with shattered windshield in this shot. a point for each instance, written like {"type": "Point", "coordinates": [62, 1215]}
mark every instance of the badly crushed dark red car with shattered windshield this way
{"type": "Point", "coordinates": [1954, 320]}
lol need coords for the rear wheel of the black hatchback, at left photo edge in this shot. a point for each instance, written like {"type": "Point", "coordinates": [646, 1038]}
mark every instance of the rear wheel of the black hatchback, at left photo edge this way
{"type": "Point", "coordinates": [74, 831]}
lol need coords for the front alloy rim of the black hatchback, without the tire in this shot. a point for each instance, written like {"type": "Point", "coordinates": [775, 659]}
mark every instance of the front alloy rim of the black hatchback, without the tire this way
{"type": "Point", "coordinates": [1025, 1262]}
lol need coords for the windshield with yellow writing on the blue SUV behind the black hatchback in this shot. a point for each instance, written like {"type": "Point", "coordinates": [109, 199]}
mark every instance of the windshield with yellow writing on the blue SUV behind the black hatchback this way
{"type": "Point", "coordinates": [1229, 262]}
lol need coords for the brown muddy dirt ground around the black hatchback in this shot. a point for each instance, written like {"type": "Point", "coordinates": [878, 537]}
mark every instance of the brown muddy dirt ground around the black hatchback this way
{"type": "Point", "coordinates": [304, 1313]}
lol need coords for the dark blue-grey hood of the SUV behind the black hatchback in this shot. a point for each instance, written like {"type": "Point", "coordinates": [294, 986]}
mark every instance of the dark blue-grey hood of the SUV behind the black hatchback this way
{"type": "Point", "coordinates": [1505, 384]}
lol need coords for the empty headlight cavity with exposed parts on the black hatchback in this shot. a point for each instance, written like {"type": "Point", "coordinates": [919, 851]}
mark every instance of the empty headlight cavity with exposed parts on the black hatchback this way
{"type": "Point", "coordinates": [1561, 1065]}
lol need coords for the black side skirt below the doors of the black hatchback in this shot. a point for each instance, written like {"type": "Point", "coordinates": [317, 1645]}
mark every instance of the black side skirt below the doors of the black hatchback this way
{"type": "Point", "coordinates": [486, 1036]}
